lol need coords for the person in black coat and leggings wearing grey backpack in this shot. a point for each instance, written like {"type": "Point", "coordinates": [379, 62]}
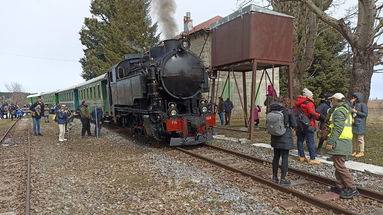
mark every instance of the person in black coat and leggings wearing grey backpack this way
{"type": "Point", "coordinates": [279, 123]}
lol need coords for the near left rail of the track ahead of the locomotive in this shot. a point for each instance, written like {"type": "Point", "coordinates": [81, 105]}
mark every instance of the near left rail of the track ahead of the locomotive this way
{"type": "Point", "coordinates": [306, 198]}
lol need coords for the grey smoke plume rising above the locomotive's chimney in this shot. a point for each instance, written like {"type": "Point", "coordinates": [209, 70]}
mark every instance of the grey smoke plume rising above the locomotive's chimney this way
{"type": "Point", "coordinates": [165, 10]}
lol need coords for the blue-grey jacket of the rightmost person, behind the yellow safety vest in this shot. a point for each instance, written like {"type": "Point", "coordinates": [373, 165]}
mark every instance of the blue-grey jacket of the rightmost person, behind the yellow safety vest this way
{"type": "Point", "coordinates": [359, 126]}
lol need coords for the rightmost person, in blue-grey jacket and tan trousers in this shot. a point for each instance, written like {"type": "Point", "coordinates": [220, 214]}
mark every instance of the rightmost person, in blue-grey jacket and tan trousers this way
{"type": "Point", "coordinates": [359, 112]}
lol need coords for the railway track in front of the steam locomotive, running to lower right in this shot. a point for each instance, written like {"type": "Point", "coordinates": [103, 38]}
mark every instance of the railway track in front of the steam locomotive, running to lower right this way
{"type": "Point", "coordinates": [305, 185]}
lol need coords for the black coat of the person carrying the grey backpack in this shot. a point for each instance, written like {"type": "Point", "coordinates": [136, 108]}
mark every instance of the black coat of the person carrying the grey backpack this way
{"type": "Point", "coordinates": [285, 141]}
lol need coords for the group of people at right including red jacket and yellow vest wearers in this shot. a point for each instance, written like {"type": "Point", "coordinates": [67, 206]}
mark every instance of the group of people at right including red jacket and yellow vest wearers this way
{"type": "Point", "coordinates": [342, 126]}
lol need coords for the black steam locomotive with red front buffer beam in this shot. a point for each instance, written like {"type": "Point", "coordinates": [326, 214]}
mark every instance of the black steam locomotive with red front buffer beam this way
{"type": "Point", "coordinates": [160, 94]}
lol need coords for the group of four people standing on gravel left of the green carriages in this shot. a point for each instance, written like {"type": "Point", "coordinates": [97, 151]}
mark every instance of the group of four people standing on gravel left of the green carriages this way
{"type": "Point", "coordinates": [64, 117]}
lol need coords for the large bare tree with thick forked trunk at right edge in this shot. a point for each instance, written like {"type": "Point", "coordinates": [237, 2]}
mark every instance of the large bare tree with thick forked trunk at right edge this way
{"type": "Point", "coordinates": [363, 38]}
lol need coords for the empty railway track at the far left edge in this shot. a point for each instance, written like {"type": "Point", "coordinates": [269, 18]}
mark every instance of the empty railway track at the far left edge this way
{"type": "Point", "coordinates": [15, 170]}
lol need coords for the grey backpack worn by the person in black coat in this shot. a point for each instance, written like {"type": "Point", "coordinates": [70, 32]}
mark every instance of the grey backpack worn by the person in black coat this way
{"type": "Point", "coordinates": [275, 123]}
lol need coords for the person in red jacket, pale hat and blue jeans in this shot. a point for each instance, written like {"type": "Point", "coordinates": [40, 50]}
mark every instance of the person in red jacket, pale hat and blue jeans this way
{"type": "Point", "coordinates": [306, 115]}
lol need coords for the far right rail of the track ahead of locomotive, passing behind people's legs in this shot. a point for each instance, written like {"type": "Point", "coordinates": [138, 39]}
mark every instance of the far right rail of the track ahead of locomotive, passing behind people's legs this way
{"type": "Point", "coordinates": [320, 179]}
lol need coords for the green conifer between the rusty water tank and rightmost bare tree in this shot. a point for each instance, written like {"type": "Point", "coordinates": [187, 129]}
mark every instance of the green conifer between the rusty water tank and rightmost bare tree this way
{"type": "Point", "coordinates": [331, 67]}
